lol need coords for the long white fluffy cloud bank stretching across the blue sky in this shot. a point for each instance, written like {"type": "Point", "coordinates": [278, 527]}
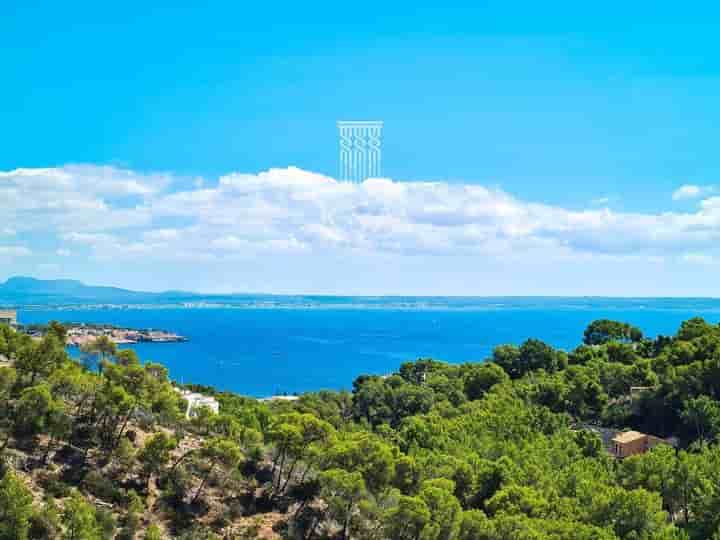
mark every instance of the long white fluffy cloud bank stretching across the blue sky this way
{"type": "Point", "coordinates": [112, 213]}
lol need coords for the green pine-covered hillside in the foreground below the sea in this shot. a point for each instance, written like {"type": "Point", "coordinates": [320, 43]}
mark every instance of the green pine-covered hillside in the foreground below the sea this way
{"type": "Point", "coordinates": [500, 450]}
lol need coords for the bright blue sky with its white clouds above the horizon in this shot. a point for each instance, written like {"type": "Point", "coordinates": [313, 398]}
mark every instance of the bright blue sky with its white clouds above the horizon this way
{"type": "Point", "coordinates": [579, 122]}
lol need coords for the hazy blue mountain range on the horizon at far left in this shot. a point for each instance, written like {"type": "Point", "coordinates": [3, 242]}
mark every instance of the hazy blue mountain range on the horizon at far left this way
{"type": "Point", "coordinates": [23, 291]}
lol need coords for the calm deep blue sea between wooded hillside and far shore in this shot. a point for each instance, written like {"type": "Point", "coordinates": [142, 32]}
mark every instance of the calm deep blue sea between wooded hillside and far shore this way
{"type": "Point", "coordinates": [327, 343]}
